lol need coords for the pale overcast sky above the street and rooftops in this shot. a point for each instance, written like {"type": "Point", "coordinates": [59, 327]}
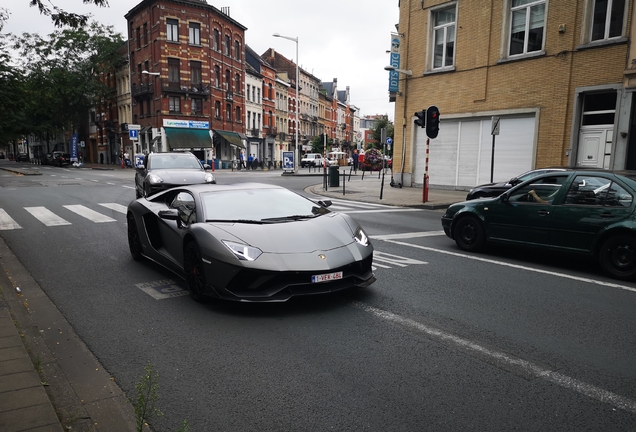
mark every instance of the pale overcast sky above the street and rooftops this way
{"type": "Point", "coordinates": [343, 39]}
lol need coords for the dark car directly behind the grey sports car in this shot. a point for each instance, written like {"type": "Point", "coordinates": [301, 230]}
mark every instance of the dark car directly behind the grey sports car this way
{"type": "Point", "coordinates": [161, 171]}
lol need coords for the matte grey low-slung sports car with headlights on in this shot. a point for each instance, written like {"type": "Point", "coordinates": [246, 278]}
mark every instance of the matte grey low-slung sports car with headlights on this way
{"type": "Point", "coordinates": [240, 242]}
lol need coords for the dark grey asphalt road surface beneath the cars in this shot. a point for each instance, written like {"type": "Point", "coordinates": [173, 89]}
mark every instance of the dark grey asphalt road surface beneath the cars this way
{"type": "Point", "coordinates": [444, 340]}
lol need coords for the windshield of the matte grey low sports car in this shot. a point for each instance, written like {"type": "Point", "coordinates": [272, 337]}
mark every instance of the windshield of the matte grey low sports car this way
{"type": "Point", "coordinates": [257, 205]}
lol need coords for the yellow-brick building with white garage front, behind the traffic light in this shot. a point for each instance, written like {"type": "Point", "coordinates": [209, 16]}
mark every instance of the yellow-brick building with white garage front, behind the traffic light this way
{"type": "Point", "coordinates": [559, 74]}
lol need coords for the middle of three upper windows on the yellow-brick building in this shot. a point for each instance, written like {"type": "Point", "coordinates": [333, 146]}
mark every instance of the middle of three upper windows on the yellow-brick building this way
{"type": "Point", "coordinates": [527, 23]}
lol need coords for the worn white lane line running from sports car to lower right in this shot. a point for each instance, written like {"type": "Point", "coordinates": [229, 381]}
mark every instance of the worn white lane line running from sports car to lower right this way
{"type": "Point", "coordinates": [498, 357]}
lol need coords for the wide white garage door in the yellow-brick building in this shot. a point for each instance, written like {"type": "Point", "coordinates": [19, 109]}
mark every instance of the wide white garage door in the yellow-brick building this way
{"type": "Point", "coordinates": [460, 156]}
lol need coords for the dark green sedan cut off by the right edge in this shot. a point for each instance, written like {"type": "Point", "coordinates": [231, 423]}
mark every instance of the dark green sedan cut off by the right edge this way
{"type": "Point", "coordinates": [589, 212]}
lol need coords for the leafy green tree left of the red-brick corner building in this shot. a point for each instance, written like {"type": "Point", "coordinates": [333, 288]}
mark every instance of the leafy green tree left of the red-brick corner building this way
{"type": "Point", "coordinates": [63, 76]}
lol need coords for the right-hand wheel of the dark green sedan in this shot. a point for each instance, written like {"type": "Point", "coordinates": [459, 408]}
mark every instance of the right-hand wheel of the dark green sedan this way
{"type": "Point", "coordinates": [618, 256]}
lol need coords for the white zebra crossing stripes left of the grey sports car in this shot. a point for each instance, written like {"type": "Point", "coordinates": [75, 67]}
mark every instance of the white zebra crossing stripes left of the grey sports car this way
{"type": "Point", "coordinates": [51, 219]}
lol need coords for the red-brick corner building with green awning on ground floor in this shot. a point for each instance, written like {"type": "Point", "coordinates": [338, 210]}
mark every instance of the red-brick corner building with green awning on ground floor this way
{"type": "Point", "coordinates": [187, 74]}
